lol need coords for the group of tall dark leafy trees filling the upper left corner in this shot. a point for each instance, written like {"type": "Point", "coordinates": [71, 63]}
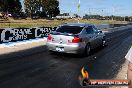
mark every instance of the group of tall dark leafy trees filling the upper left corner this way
{"type": "Point", "coordinates": [32, 8]}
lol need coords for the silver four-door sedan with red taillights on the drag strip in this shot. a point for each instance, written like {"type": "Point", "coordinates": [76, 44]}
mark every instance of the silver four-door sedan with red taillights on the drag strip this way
{"type": "Point", "coordinates": [76, 38]}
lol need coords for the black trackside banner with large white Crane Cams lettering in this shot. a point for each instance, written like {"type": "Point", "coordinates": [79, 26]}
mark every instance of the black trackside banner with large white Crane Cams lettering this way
{"type": "Point", "coordinates": [20, 34]}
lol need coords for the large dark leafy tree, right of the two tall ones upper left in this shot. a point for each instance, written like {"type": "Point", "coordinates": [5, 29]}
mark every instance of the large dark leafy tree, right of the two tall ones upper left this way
{"type": "Point", "coordinates": [46, 7]}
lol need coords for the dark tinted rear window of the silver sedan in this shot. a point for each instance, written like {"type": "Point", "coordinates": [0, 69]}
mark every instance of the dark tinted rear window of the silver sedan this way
{"type": "Point", "coordinates": [70, 29]}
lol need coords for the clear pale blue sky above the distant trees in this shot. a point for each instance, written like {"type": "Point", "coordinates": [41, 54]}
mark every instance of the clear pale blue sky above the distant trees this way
{"type": "Point", "coordinates": [96, 7]}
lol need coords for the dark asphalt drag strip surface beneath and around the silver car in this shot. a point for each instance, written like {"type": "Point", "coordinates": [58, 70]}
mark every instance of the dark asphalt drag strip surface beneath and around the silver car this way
{"type": "Point", "coordinates": [47, 70]}
